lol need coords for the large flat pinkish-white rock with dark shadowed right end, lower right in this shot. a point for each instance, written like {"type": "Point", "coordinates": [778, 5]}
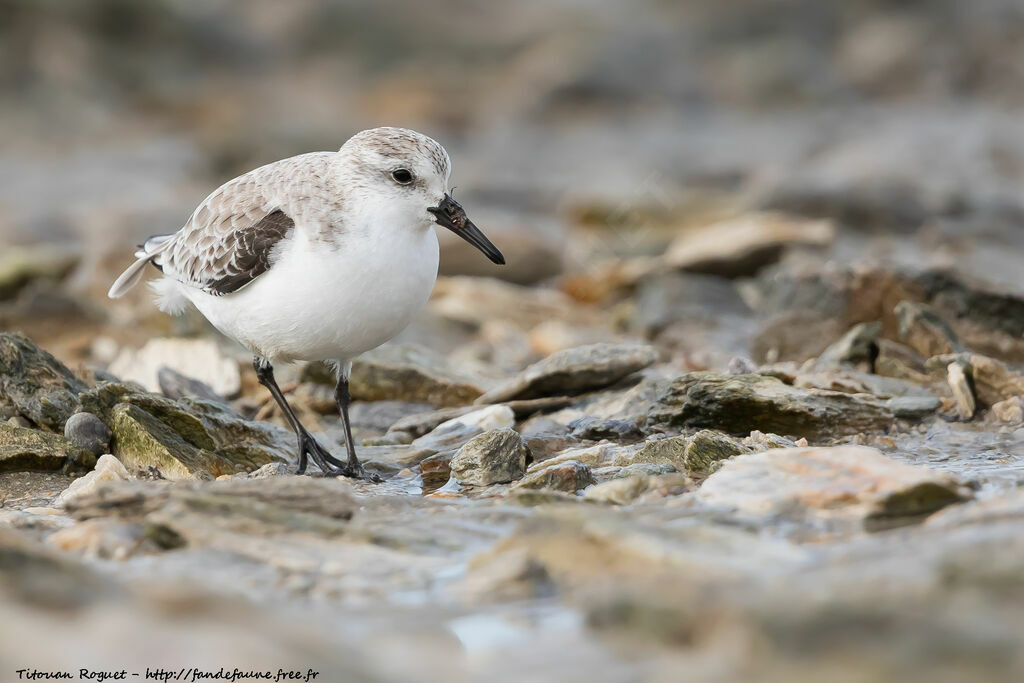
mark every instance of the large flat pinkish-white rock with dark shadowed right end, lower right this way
{"type": "Point", "coordinates": [850, 484]}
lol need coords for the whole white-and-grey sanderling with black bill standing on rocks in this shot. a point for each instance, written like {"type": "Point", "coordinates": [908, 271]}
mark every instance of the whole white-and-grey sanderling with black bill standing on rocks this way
{"type": "Point", "coordinates": [319, 258]}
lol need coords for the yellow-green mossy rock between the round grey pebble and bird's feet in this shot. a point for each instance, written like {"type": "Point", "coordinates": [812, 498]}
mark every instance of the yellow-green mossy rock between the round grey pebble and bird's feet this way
{"type": "Point", "coordinates": [185, 439]}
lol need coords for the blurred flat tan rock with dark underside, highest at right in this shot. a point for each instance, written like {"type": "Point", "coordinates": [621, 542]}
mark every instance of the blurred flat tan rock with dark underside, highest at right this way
{"type": "Point", "coordinates": [742, 246]}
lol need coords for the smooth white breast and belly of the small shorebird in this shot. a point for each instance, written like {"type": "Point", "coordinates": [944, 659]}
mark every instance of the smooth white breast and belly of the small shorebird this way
{"type": "Point", "coordinates": [319, 303]}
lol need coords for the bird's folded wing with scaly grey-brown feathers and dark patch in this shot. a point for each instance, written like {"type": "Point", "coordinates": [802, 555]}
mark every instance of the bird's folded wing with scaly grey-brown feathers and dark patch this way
{"type": "Point", "coordinates": [229, 242]}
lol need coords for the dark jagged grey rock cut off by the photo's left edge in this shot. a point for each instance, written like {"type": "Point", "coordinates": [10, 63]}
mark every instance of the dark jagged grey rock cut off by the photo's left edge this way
{"type": "Point", "coordinates": [37, 385]}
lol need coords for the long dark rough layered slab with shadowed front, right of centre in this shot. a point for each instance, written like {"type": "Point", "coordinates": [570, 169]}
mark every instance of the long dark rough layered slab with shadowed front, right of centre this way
{"type": "Point", "coordinates": [740, 404]}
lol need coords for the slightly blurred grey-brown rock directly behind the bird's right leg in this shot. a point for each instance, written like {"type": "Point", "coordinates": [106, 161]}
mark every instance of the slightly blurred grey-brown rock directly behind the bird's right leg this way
{"type": "Point", "coordinates": [406, 372]}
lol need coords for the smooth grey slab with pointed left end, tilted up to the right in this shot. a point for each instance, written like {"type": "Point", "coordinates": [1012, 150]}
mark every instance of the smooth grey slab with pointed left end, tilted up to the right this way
{"type": "Point", "coordinates": [575, 371]}
